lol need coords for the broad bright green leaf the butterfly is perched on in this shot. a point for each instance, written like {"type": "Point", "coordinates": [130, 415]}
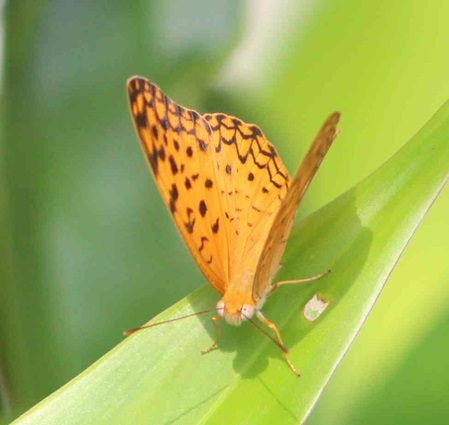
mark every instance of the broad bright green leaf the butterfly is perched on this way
{"type": "Point", "coordinates": [158, 376]}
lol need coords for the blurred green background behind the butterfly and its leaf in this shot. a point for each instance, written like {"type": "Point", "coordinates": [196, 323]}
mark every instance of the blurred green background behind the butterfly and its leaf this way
{"type": "Point", "coordinates": [87, 247]}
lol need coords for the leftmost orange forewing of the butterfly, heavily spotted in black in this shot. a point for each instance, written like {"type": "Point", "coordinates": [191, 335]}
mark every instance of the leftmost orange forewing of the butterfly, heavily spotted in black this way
{"type": "Point", "coordinates": [177, 143]}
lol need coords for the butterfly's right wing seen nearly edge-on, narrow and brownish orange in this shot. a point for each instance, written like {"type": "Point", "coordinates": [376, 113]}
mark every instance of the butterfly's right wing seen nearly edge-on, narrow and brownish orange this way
{"type": "Point", "coordinates": [275, 244]}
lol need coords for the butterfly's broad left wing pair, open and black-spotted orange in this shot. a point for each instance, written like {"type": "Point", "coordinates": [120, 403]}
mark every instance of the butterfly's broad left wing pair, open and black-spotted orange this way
{"type": "Point", "coordinates": [221, 180]}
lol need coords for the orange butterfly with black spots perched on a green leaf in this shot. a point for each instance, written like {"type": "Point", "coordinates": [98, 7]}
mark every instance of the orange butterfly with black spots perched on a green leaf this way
{"type": "Point", "coordinates": [230, 196]}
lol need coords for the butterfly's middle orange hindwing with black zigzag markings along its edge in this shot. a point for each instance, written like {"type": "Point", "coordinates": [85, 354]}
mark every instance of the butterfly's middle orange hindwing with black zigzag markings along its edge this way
{"type": "Point", "coordinates": [252, 182]}
